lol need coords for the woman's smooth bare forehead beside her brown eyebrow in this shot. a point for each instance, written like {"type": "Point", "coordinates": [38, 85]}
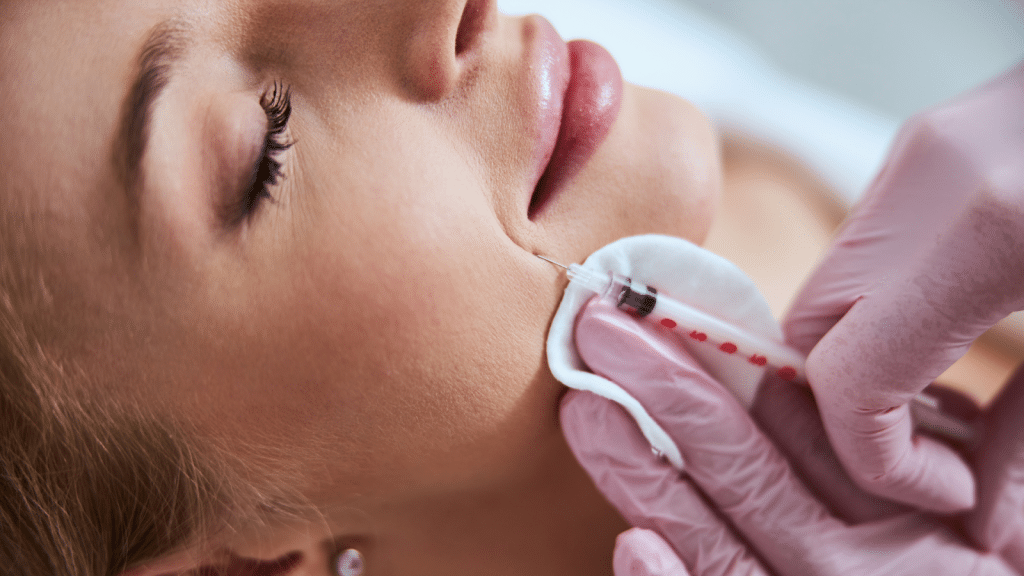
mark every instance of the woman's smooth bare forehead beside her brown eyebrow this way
{"type": "Point", "coordinates": [67, 66]}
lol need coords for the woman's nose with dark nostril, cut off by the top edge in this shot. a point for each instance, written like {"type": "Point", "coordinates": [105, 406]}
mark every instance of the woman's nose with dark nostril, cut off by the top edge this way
{"type": "Point", "coordinates": [447, 38]}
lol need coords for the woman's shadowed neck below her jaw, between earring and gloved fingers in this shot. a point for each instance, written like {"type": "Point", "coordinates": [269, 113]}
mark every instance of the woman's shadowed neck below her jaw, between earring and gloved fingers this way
{"type": "Point", "coordinates": [553, 522]}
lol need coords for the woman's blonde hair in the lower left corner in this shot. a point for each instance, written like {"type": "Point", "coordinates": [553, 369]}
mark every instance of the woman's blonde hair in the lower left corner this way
{"type": "Point", "coordinates": [93, 486]}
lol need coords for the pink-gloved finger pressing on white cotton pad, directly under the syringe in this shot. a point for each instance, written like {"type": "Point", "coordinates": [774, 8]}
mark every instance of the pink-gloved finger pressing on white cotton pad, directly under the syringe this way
{"type": "Point", "coordinates": [729, 458]}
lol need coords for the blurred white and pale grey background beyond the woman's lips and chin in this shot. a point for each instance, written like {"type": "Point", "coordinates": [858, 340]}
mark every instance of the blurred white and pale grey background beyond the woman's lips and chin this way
{"type": "Point", "coordinates": [828, 83]}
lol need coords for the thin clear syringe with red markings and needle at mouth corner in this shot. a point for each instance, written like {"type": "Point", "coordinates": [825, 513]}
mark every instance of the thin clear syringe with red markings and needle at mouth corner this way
{"type": "Point", "coordinates": [703, 328]}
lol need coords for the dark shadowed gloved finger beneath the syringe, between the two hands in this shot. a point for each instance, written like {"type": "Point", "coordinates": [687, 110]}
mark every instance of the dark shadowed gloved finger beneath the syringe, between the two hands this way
{"type": "Point", "coordinates": [788, 415]}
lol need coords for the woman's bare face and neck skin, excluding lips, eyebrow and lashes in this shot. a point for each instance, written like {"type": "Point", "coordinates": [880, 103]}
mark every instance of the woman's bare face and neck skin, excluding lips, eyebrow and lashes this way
{"type": "Point", "coordinates": [375, 333]}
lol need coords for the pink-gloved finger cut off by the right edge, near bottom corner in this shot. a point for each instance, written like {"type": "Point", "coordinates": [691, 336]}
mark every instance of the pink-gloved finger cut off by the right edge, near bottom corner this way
{"type": "Point", "coordinates": [998, 521]}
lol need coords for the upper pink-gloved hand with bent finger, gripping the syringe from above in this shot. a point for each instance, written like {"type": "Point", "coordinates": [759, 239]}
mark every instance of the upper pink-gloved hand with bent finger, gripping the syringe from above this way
{"type": "Point", "coordinates": [929, 260]}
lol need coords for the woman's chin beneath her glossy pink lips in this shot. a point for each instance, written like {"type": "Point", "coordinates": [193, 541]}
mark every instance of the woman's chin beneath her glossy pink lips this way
{"type": "Point", "coordinates": [659, 172]}
